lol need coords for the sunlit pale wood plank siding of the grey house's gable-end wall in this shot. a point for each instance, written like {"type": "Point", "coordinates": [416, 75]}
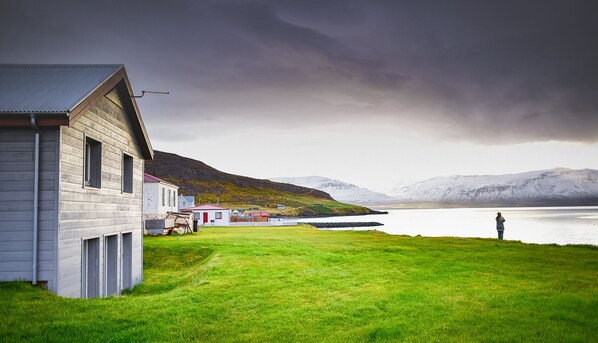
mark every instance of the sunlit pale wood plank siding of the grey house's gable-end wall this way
{"type": "Point", "coordinates": [87, 212]}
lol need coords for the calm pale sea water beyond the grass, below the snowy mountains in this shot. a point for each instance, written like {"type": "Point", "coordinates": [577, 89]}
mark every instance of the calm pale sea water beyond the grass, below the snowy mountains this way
{"type": "Point", "coordinates": [560, 225]}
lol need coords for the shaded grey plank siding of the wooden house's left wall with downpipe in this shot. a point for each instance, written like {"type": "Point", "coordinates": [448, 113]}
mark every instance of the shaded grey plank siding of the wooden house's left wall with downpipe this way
{"type": "Point", "coordinates": [16, 205]}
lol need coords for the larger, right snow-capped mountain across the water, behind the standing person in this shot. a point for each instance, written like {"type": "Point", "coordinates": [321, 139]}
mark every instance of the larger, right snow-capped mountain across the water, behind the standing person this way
{"type": "Point", "coordinates": [536, 187]}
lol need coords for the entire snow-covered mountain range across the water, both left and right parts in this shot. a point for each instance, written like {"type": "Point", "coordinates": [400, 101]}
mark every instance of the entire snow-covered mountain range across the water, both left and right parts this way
{"type": "Point", "coordinates": [552, 187]}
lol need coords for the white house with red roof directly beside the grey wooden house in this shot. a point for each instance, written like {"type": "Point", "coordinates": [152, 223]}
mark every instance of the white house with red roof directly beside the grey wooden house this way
{"type": "Point", "coordinates": [159, 197]}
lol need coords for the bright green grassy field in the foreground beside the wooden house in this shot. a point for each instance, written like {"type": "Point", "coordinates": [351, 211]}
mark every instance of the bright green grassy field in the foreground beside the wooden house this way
{"type": "Point", "coordinates": [302, 285]}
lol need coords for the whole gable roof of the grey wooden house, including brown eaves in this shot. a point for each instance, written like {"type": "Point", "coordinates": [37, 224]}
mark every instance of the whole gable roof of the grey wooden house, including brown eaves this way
{"type": "Point", "coordinates": [58, 94]}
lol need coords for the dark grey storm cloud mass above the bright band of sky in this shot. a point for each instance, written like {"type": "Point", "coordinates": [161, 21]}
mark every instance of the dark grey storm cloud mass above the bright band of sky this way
{"type": "Point", "coordinates": [494, 72]}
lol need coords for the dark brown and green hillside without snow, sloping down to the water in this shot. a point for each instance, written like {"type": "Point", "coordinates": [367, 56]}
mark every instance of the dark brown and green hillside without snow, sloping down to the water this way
{"type": "Point", "coordinates": [210, 185]}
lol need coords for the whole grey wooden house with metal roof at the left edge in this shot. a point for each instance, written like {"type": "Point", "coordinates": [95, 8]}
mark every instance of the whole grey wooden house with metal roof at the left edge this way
{"type": "Point", "coordinates": [72, 151]}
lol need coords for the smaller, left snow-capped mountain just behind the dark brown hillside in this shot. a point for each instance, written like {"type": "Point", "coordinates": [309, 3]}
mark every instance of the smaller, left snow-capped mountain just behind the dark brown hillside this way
{"type": "Point", "coordinates": [340, 191]}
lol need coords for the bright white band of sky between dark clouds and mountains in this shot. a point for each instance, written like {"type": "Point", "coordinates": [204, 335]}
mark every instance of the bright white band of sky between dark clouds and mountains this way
{"type": "Point", "coordinates": [369, 155]}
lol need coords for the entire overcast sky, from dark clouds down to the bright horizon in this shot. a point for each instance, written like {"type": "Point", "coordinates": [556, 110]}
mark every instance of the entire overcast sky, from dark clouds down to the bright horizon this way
{"type": "Point", "coordinates": [370, 92]}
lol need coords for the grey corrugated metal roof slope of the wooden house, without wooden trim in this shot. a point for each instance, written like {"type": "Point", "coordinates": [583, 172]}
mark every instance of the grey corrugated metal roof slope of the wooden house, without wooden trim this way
{"type": "Point", "coordinates": [44, 88]}
